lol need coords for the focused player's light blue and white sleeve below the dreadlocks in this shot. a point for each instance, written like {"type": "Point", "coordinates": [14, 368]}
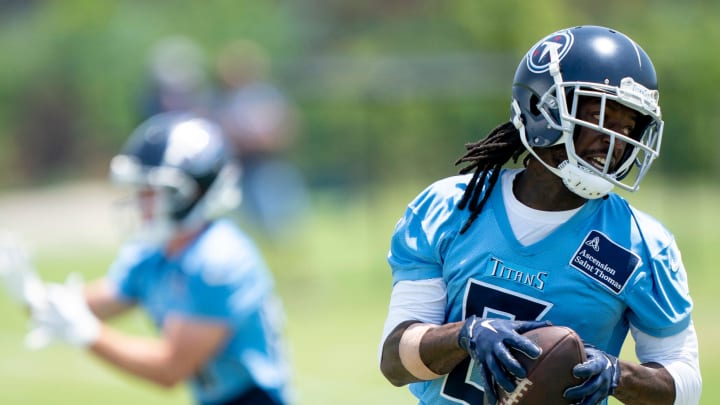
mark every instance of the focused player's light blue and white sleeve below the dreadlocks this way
{"type": "Point", "coordinates": [421, 236]}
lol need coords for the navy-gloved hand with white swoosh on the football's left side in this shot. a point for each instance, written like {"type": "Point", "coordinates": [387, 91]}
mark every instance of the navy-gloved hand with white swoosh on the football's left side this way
{"type": "Point", "coordinates": [489, 341]}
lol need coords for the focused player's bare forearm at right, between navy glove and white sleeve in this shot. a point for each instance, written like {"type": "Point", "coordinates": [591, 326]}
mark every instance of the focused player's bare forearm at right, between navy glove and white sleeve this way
{"type": "Point", "coordinates": [647, 384]}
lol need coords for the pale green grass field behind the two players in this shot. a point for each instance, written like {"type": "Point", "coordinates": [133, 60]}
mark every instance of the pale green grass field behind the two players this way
{"type": "Point", "coordinates": [335, 284]}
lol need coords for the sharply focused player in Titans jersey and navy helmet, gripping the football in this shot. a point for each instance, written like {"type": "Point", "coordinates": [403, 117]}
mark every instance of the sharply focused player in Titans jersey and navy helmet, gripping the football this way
{"type": "Point", "coordinates": [480, 258]}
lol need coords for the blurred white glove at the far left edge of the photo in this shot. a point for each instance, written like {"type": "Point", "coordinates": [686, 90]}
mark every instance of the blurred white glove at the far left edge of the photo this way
{"type": "Point", "coordinates": [17, 274]}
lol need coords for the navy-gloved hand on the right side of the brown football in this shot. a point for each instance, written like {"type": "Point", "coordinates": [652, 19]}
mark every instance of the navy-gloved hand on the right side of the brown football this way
{"type": "Point", "coordinates": [601, 372]}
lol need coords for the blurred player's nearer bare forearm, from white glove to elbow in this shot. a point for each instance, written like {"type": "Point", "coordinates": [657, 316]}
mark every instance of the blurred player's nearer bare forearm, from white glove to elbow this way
{"type": "Point", "coordinates": [147, 358]}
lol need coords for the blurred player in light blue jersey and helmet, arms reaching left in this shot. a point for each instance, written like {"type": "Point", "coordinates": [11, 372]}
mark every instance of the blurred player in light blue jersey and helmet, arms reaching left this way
{"type": "Point", "coordinates": [198, 276]}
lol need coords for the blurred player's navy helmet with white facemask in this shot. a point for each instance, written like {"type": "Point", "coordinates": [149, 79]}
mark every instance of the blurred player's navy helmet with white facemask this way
{"type": "Point", "coordinates": [180, 170]}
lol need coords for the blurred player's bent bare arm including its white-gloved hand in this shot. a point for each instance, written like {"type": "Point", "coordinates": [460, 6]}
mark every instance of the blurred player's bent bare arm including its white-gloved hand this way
{"type": "Point", "coordinates": [72, 313]}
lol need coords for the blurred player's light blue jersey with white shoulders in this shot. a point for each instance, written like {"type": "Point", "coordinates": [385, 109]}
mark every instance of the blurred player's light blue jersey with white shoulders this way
{"type": "Point", "coordinates": [220, 276]}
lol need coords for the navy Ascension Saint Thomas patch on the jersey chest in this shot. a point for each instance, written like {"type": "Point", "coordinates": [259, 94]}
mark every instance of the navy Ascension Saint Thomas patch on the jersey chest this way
{"type": "Point", "coordinates": [603, 260]}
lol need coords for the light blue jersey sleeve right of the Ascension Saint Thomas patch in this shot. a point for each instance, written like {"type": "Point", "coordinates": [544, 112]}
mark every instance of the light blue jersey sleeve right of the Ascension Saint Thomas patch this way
{"type": "Point", "coordinates": [660, 304]}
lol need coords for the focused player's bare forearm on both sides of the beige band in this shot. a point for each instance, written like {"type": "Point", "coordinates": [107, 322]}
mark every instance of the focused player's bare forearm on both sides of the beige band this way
{"type": "Point", "coordinates": [439, 352]}
